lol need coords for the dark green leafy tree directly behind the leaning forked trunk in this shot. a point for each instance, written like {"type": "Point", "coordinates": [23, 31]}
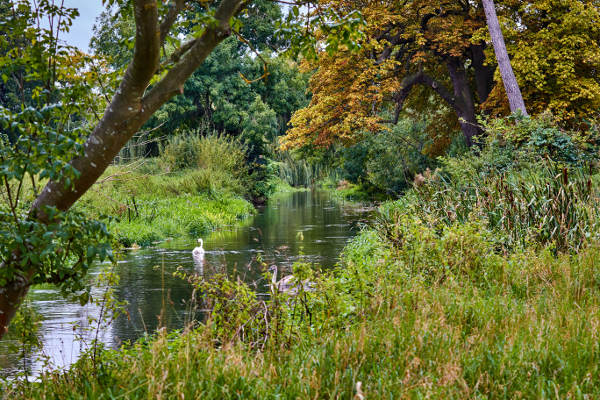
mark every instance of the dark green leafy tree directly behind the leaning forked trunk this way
{"type": "Point", "coordinates": [216, 96]}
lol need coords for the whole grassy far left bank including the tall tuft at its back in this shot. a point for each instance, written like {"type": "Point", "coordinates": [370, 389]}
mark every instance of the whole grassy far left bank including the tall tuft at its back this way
{"type": "Point", "coordinates": [196, 185]}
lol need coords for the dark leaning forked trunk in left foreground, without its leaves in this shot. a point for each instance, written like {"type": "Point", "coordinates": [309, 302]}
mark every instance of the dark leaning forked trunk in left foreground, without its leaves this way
{"type": "Point", "coordinates": [129, 109]}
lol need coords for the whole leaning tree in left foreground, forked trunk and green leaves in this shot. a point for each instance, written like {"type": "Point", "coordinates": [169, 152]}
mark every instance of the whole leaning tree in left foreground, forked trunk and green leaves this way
{"type": "Point", "coordinates": [49, 242]}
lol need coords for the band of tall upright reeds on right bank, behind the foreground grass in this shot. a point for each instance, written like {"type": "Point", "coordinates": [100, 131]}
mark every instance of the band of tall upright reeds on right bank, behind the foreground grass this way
{"type": "Point", "coordinates": [549, 206]}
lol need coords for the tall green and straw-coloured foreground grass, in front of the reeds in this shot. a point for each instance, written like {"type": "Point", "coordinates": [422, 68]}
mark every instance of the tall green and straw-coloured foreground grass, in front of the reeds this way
{"type": "Point", "coordinates": [516, 326]}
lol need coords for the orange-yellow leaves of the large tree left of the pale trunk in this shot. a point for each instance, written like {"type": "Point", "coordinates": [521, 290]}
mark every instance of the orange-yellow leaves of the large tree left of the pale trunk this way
{"type": "Point", "coordinates": [349, 90]}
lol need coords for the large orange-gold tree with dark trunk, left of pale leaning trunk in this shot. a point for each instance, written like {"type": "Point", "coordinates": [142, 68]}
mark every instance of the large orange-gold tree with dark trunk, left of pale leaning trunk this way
{"type": "Point", "coordinates": [409, 45]}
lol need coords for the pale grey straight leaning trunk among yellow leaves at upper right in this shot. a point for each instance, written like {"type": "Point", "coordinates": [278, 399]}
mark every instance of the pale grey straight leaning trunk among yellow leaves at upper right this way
{"type": "Point", "coordinates": [515, 99]}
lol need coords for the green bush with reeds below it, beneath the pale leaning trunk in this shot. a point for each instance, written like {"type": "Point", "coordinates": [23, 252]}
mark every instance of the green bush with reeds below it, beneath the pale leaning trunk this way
{"type": "Point", "coordinates": [530, 184]}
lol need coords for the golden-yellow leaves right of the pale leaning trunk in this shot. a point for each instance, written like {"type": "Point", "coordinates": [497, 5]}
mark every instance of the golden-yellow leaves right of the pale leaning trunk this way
{"type": "Point", "coordinates": [556, 57]}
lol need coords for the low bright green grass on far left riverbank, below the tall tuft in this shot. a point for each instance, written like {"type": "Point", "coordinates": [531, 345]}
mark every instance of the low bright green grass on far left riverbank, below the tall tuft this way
{"type": "Point", "coordinates": [145, 206]}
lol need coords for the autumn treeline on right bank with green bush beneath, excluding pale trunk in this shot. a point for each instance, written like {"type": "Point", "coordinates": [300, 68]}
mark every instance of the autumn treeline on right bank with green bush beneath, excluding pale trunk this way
{"type": "Point", "coordinates": [425, 80]}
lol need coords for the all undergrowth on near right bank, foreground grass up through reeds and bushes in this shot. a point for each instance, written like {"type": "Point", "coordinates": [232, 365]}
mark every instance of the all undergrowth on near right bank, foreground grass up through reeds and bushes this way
{"type": "Point", "coordinates": [483, 281]}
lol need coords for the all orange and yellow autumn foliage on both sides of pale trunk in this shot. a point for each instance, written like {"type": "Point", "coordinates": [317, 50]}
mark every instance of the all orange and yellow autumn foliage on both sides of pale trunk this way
{"type": "Point", "coordinates": [435, 57]}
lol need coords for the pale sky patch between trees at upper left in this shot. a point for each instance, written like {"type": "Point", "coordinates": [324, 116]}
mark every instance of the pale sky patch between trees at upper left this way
{"type": "Point", "coordinates": [81, 31]}
